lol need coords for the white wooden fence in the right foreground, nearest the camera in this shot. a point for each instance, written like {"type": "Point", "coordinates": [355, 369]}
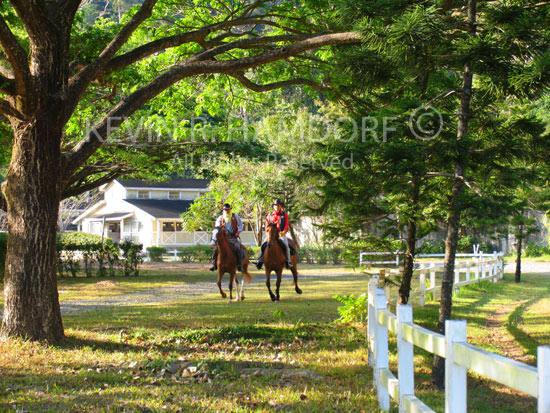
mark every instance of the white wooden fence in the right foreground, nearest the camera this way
{"type": "Point", "coordinates": [460, 357]}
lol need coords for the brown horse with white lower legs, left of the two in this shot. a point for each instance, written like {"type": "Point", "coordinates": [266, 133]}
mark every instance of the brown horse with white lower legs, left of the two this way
{"type": "Point", "coordinates": [227, 263]}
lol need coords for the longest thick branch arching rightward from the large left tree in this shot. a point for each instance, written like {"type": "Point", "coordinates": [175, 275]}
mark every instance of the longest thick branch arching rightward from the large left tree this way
{"type": "Point", "coordinates": [191, 67]}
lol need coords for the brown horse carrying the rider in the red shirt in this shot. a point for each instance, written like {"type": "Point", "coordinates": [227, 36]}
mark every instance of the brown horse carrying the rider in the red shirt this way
{"type": "Point", "coordinates": [275, 259]}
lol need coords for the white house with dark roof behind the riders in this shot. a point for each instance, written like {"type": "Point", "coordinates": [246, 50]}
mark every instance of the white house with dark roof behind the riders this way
{"type": "Point", "coordinates": [148, 213]}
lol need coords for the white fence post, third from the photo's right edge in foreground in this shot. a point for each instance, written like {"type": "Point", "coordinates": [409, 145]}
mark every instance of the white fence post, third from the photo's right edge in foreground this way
{"type": "Point", "coordinates": [405, 357]}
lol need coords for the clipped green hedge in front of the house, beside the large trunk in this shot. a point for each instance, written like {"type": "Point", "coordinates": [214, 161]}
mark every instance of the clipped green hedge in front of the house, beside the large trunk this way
{"type": "Point", "coordinates": [79, 251]}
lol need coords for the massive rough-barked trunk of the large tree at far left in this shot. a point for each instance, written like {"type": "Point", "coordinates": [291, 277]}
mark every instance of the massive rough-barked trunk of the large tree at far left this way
{"type": "Point", "coordinates": [32, 191]}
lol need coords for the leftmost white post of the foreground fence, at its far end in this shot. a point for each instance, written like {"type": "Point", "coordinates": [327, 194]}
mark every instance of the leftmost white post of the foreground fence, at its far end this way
{"type": "Point", "coordinates": [380, 349]}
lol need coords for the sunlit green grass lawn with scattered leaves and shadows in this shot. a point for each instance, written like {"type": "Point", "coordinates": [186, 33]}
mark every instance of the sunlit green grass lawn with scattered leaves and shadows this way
{"type": "Point", "coordinates": [201, 353]}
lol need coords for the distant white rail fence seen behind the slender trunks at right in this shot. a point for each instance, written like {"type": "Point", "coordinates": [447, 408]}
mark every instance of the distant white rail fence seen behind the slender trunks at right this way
{"type": "Point", "coordinates": [480, 267]}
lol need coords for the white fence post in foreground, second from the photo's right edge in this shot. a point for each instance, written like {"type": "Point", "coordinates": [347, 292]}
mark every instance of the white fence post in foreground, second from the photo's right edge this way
{"type": "Point", "coordinates": [455, 375]}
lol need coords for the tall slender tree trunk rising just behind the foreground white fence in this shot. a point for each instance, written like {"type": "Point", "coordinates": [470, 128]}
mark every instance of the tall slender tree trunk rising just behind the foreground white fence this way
{"type": "Point", "coordinates": [455, 210]}
